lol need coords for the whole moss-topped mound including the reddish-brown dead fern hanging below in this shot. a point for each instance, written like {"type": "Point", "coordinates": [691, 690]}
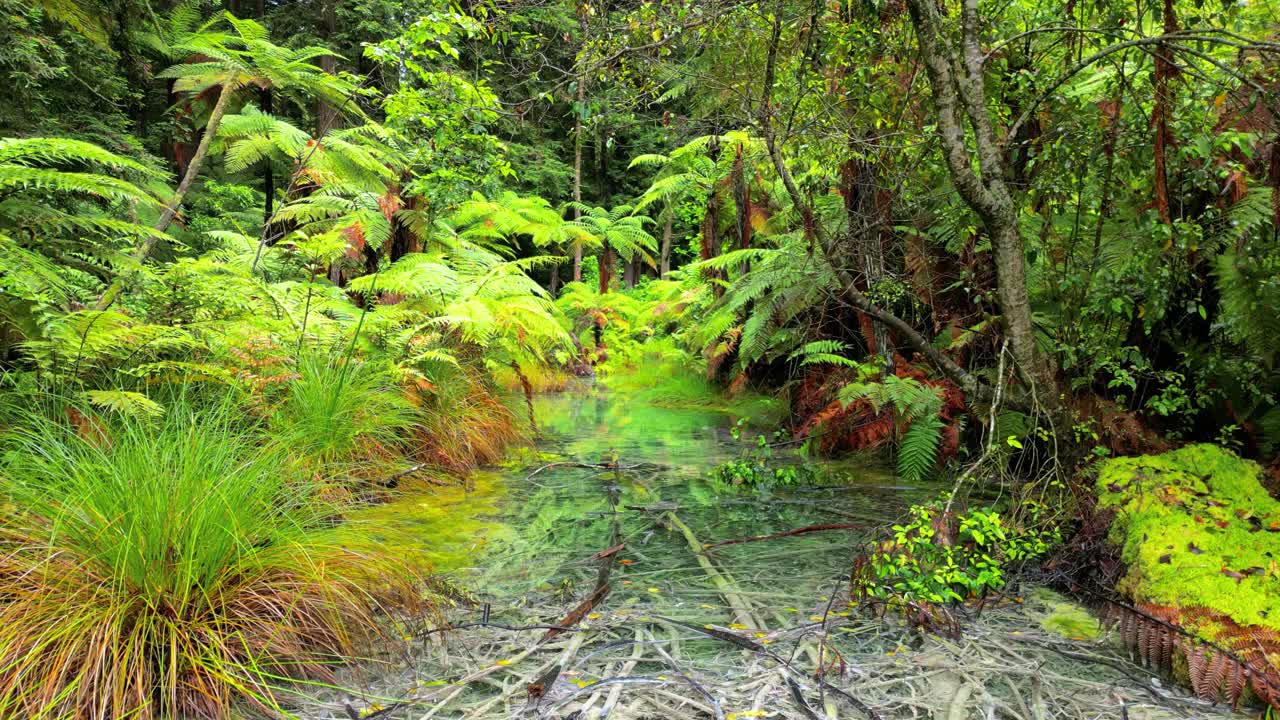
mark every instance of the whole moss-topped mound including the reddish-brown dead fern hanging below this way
{"type": "Point", "coordinates": [1201, 540]}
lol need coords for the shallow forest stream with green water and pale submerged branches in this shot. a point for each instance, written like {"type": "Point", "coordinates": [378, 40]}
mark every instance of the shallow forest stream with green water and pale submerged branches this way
{"type": "Point", "coordinates": [737, 632]}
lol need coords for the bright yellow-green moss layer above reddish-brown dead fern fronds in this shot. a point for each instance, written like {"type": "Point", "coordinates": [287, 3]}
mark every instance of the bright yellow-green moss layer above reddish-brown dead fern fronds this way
{"type": "Point", "coordinates": [1197, 530]}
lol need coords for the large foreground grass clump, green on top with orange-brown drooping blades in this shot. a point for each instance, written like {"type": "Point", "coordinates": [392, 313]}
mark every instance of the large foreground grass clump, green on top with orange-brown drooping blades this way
{"type": "Point", "coordinates": [168, 569]}
